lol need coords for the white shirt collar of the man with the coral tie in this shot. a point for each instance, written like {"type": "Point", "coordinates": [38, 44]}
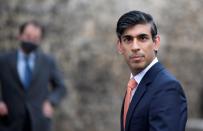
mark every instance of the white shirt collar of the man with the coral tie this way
{"type": "Point", "coordinates": [140, 75]}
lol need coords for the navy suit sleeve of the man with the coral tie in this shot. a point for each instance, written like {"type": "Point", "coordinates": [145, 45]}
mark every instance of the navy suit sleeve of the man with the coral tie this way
{"type": "Point", "coordinates": [168, 109]}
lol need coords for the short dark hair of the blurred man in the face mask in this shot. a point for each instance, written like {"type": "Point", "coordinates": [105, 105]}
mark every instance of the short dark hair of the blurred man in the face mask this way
{"type": "Point", "coordinates": [32, 22]}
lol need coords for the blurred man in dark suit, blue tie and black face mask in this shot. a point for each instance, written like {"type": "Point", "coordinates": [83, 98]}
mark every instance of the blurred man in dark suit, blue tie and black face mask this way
{"type": "Point", "coordinates": [27, 100]}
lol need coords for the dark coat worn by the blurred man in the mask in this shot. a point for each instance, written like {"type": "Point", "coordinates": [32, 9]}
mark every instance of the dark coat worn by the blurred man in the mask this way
{"type": "Point", "coordinates": [19, 101]}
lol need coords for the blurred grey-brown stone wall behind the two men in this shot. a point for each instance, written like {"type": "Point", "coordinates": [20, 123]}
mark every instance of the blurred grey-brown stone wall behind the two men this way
{"type": "Point", "coordinates": [81, 35]}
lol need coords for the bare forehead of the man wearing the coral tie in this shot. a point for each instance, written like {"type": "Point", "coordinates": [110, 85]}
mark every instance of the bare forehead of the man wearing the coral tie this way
{"type": "Point", "coordinates": [138, 29]}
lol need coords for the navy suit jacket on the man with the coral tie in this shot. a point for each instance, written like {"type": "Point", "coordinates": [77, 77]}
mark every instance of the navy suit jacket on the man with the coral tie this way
{"type": "Point", "coordinates": [159, 103]}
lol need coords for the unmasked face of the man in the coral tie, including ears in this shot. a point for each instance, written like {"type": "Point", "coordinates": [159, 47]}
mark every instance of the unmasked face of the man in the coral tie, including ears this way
{"type": "Point", "coordinates": [138, 47]}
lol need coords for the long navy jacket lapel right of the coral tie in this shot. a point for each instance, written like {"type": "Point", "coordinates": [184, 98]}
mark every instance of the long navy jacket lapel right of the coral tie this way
{"type": "Point", "coordinates": [141, 89]}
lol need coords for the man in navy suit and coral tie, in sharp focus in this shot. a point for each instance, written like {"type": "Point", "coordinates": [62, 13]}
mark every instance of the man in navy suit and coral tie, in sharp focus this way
{"type": "Point", "coordinates": [154, 99]}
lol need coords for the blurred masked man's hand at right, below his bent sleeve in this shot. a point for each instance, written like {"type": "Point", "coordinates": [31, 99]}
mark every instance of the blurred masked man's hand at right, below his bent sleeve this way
{"type": "Point", "coordinates": [48, 109]}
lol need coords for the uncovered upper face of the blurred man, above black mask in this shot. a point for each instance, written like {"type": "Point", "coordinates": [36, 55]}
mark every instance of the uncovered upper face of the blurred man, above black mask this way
{"type": "Point", "coordinates": [31, 34]}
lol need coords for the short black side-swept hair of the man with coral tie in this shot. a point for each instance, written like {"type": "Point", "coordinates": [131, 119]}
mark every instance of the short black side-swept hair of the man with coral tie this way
{"type": "Point", "coordinates": [133, 18]}
